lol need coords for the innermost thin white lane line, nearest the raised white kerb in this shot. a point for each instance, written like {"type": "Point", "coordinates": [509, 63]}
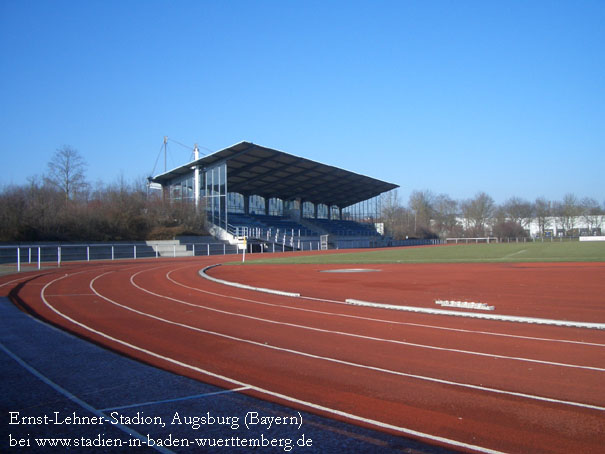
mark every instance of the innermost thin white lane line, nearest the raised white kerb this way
{"type": "Point", "coordinates": [420, 325]}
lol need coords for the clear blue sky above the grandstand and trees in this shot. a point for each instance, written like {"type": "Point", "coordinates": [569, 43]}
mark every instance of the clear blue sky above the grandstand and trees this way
{"type": "Point", "coordinates": [454, 97]}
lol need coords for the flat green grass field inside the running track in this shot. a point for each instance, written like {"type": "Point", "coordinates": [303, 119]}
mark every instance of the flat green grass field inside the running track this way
{"type": "Point", "coordinates": [473, 253]}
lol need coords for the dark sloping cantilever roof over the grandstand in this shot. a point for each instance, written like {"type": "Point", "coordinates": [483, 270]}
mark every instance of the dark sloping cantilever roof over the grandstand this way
{"type": "Point", "coordinates": [253, 169]}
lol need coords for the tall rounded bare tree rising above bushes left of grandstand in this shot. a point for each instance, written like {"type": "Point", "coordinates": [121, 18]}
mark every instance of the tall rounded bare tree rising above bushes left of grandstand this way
{"type": "Point", "coordinates": [66, 172]}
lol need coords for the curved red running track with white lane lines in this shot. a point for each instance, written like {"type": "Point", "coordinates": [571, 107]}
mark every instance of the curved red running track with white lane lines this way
{"type": "Point", "coordinates": [472, 385]}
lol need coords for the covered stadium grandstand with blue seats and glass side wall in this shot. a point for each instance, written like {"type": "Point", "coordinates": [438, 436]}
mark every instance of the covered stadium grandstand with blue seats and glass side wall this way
{"type": "Point", "coordinates": [269, 196]}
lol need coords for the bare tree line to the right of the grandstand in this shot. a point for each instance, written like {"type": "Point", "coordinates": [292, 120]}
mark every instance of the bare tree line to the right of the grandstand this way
{"type": "Point", "coordinates": [429, 215]}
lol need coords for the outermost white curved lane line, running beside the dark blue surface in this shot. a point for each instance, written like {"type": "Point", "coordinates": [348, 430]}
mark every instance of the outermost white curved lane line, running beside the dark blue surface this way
{"type": "Point", "coordinates": [350, 416]}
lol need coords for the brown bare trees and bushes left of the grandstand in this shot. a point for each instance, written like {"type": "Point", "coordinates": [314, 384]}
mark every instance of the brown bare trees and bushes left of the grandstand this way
{"type": "Point", "coordinates": [62, 205]}
